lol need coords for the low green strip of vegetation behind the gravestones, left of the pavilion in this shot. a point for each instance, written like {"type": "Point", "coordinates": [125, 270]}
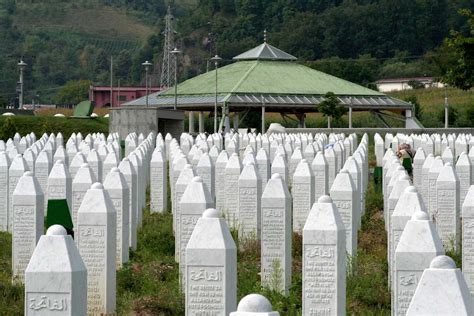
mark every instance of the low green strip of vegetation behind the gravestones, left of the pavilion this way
{"type": "Point", "coordinates": [41, 124]}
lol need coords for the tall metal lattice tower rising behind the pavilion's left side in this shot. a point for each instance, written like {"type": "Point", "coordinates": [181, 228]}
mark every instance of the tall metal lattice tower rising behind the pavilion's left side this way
{"type": "Point", "coordinates": [167, 65]}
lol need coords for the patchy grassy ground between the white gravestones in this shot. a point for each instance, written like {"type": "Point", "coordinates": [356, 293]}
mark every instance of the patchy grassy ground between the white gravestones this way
{"type": "Point", "coordinates": [148, 284]}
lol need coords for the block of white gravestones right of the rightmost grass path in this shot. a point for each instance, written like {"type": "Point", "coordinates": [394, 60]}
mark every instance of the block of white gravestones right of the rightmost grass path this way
{"type": "Point", "coordinates": [416, 235]}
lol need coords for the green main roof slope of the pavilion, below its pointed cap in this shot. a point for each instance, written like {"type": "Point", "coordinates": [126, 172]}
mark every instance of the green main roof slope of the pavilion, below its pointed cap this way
{"type": "Point", "coordinates": [269, 77]}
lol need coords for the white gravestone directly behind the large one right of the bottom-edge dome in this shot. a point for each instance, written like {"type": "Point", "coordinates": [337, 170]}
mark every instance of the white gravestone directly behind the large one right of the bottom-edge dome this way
{"type": "Point", "coordinates": [344, 196]}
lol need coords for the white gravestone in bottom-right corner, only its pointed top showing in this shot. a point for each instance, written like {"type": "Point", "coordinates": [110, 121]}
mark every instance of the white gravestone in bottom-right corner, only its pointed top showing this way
{"type": "Point", "coordinates": [441, 290]}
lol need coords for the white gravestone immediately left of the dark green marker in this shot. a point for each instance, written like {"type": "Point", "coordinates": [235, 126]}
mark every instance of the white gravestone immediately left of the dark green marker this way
{"type": "Point", "coordinates": [28, 222]}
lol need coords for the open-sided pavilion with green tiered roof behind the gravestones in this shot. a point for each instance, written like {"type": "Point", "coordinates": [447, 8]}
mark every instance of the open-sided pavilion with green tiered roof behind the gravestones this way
{"type": "Point", "coordinates": [269, 79]}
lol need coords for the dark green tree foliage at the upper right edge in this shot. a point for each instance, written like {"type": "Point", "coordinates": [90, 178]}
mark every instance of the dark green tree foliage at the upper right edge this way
{"type": "Point", "coordinates": [461, 73]}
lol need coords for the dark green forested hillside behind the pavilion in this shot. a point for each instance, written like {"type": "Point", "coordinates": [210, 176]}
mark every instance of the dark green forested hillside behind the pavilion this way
{"type": "Point", "coordinates": [358, 40]}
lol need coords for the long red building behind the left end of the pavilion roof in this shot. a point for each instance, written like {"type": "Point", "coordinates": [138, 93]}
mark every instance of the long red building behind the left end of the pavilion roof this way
{"type": "Point", "coordinates": [101, 95]}
